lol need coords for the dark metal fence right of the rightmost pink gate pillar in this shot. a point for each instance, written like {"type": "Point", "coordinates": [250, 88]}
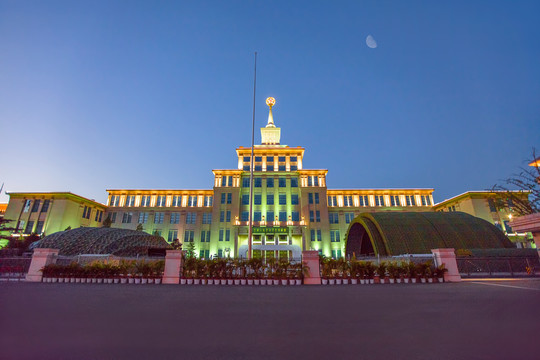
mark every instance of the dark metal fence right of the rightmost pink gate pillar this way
{"type": "Point", "coordinates": [498, 266]}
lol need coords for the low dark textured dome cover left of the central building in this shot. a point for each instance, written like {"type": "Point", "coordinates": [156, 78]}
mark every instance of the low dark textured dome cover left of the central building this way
{"type": "Point", "coordinates": [88, 240]}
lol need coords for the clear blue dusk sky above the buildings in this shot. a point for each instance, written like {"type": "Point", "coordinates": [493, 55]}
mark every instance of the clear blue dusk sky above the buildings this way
{"type": "Point", "coordinates": [113, 95]}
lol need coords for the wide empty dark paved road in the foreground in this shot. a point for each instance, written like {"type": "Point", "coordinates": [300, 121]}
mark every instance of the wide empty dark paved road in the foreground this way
{"type": "Point", "coordinates": [469, 320]}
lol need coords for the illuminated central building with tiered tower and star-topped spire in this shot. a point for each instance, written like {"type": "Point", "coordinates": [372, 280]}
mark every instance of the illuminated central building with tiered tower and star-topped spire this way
{"type": "Point", "coordinates": [293, 210]}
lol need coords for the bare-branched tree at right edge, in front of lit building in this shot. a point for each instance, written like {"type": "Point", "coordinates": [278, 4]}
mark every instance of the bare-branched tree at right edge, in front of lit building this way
{"type": "Point", "coordinates": [527, 181]}
